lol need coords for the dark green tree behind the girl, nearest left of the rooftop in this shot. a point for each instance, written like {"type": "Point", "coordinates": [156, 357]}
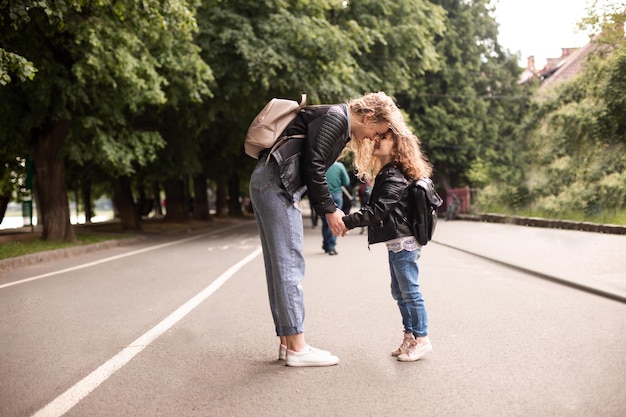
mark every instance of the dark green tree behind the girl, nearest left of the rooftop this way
{"type": "Point", "coordinates": [466, 112]}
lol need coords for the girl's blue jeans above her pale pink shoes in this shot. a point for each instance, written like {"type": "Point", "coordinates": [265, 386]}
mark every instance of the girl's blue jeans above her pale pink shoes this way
{"type": "Point", "coordinates": [405, 290]}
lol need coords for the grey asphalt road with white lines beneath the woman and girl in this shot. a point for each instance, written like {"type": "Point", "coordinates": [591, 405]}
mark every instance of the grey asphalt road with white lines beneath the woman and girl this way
{"type": "Point", "coordinates": [181, 327]}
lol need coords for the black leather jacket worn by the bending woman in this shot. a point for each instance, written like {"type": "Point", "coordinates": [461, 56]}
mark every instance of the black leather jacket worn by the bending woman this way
{"type": "Point", "coordinates": [303, 162]}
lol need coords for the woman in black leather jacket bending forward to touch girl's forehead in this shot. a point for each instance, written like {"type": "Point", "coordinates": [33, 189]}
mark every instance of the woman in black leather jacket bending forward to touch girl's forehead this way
{"type": "Point", "coordinates": [277, 185]}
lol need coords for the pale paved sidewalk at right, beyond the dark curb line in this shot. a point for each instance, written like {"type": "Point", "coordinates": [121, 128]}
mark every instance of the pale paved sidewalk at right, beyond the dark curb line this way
{"type": "Point", "coordinates": [595, 262]}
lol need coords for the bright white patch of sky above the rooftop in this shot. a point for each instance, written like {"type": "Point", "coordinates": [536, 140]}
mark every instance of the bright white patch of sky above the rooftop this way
{"type": "Point", "coordinates": [539, 27]}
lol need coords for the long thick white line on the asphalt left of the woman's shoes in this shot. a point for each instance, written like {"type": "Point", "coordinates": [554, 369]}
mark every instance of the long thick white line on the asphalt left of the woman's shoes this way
{"type": "Point", "coordinates": [63, 403]}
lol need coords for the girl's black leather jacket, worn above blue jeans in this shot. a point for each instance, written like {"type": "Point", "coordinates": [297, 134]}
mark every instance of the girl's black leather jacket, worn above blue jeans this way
{"type": "Point", "coordinates": [385, 213]}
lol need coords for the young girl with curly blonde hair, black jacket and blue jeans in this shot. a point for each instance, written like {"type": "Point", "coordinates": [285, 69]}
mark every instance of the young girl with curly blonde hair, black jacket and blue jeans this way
{"type": "Point", "coordinates": [396, 158]}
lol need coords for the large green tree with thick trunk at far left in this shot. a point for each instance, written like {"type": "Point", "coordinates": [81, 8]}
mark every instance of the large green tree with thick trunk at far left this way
{"type": "Point", "coordinates": [99, 66]}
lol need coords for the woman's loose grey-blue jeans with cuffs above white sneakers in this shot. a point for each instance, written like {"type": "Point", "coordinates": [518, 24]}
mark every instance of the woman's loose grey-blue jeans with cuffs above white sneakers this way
{"type": "Point", "coordinates": [279, 219]}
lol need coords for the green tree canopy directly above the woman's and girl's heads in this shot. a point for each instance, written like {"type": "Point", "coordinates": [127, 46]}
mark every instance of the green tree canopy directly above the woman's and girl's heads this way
{"type": "Point", "coordinates": [330, 50]}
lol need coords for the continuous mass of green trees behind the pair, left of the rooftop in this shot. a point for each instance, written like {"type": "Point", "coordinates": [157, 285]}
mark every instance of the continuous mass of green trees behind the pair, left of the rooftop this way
{"type": "Point", "coordinates": [137, 93]}
